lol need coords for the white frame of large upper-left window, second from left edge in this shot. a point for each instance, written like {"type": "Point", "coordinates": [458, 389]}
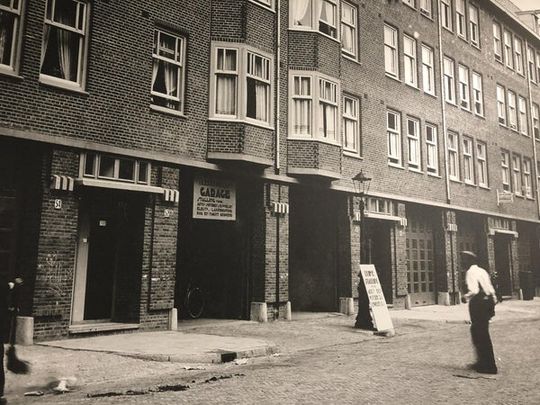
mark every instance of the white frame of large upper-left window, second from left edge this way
{"type": "Point", "coordinates": [82, 28]}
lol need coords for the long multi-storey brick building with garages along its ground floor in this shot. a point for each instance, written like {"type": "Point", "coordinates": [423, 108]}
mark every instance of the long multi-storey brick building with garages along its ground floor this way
{"type": "Point", "coordinates": [149, 147]}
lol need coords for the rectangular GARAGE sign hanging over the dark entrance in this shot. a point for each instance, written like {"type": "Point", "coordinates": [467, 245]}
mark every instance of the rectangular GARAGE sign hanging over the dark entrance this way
{"type": "Point", "coordinates": [214, 199]}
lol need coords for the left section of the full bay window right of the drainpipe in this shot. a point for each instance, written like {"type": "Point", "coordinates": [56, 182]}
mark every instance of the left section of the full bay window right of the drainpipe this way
{"type": "Point", "coordinates": [302, 102]}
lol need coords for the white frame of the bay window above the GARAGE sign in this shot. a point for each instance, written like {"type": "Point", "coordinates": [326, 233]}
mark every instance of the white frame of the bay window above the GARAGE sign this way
{"type": "Point", "coordinates": [241, 74]}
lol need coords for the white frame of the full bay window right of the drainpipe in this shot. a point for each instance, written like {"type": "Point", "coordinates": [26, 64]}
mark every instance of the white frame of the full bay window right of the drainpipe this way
{"type": "Point", "coordinates": [316, 100]}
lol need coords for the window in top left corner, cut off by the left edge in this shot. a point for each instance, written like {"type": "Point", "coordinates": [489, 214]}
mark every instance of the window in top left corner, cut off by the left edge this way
{"type": "Point", "coordinates": [10, 34]}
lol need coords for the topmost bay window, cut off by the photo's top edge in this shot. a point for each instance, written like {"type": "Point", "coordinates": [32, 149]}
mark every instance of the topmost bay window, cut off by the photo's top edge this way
{"type": "Point", "coordinates": [316, 15]}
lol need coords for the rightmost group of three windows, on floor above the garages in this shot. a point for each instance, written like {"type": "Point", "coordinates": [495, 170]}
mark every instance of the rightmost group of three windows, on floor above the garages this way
{"type": "Point", "coordinates": [516, 174]}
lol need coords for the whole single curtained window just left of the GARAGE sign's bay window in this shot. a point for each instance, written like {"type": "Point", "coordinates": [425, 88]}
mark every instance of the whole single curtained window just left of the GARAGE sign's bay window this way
{"type": "Point", "coordinates": [168, 70]}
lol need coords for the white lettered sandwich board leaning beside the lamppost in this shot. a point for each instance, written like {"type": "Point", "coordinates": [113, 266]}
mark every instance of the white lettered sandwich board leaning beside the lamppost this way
{"type": "Point", "coordinates": [377, 303]}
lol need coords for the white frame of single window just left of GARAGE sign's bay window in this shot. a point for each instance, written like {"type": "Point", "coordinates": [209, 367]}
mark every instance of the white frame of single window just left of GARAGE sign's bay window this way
{"type": "Point", "coordinates": [176, 103]}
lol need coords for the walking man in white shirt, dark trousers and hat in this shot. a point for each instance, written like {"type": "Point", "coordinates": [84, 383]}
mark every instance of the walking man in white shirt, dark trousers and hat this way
{"type": "Point", "coordinates": [482, 299]}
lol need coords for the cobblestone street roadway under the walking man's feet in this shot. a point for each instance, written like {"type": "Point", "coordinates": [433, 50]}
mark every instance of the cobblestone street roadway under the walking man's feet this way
{"type": "Point", "coordinates": [424, 363]}
